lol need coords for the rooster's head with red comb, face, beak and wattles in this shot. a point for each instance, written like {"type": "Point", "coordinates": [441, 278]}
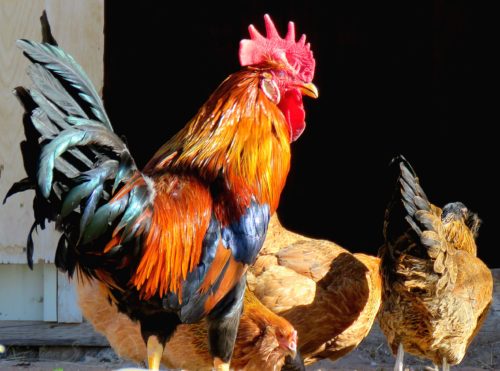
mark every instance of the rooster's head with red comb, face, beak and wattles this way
{"type": "Point", "coordinates": [287, 70]}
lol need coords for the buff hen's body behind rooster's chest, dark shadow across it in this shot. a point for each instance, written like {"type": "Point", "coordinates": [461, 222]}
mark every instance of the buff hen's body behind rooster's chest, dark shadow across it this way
{"type": "Point", "coordinates": [329, 295]}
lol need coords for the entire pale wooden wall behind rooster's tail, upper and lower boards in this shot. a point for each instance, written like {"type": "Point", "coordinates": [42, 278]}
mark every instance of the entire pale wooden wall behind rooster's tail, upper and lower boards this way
{"type": "Point", "coordinates": [44, 293]}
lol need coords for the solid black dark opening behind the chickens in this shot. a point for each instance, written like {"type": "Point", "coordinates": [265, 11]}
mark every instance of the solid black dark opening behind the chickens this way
{"type": "Point", "coordinates": [412, 77]}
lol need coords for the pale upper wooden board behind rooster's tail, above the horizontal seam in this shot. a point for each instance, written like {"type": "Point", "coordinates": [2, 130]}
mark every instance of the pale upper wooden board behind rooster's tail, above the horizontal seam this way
{"type": "Point", "coordinates": [79, 28]}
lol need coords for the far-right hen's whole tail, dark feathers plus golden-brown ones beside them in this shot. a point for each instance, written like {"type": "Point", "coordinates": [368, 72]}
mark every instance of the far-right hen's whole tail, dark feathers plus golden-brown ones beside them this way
{"type": "Point", "coordinates": [413, 230]}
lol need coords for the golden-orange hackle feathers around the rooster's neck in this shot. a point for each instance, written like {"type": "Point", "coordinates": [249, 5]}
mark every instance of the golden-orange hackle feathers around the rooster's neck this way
{"type": "Point", "coordinates": [238, 136]}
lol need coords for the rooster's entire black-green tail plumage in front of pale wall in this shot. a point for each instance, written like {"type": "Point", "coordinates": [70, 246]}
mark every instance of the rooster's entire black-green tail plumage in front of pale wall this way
{"type": "Point", "coordinates": [83, 174]}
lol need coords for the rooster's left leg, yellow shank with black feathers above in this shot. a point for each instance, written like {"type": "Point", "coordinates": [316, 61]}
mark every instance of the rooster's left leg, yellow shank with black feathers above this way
{"type": "Point", "coordinates": [156, 330]}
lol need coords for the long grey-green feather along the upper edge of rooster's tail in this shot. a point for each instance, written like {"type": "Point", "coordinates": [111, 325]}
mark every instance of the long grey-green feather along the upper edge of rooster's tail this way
{"type": "Point", "coordinates": [63, 65]}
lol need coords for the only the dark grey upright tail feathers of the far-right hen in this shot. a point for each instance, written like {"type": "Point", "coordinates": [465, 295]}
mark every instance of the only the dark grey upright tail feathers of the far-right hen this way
{"type": "Point", "coordinates": [402, 228]}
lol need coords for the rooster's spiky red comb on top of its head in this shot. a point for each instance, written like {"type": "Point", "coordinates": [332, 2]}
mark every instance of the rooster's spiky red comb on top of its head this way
{"type": "Point", "coordinates": [297, 55]}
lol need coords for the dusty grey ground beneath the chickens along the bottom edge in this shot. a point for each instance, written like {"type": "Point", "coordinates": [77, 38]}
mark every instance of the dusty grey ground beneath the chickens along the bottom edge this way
{"type": "Point", "coordinates": [372, 354]}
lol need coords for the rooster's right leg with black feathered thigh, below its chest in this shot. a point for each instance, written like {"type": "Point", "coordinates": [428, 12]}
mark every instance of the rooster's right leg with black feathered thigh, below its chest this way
{"type": "Point", "coordinates": [223, 322]}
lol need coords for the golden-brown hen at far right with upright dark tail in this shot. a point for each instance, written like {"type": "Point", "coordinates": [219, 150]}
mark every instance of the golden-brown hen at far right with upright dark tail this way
{"type": "Point", "coordinates": [436, 292]}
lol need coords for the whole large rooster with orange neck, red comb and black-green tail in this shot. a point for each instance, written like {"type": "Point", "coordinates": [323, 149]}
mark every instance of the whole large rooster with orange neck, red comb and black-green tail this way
{"type": "Point", "coordinates": [170, 243]}
